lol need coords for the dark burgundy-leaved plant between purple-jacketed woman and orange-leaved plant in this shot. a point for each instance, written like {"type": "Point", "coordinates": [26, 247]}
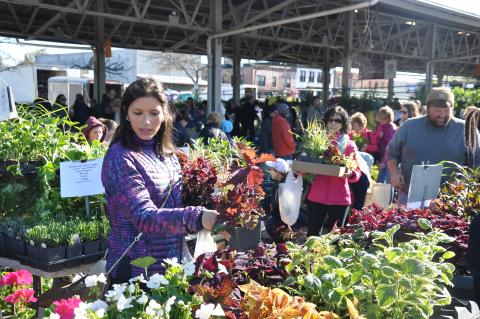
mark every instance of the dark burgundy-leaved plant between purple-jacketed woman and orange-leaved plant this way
{"type": "Point", "coordinates": [199, 179]}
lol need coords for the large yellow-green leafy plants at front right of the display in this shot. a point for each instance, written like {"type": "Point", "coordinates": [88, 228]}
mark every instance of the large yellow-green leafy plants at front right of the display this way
{"type": "Point", "coordinates": [389, 281]}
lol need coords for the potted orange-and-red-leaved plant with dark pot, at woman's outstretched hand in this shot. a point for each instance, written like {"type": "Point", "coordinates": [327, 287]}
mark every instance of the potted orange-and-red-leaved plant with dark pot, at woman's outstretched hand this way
{"type": "Point", "coordinates": [239, 199]}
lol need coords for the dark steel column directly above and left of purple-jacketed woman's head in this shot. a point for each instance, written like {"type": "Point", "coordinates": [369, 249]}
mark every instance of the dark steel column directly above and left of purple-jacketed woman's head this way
{"type": "Point", "coordinates": [99, 55]}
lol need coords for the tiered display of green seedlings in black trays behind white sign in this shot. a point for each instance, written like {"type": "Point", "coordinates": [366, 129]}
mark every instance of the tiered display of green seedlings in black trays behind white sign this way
{"type": "Point", "coordinates": [37, 226]}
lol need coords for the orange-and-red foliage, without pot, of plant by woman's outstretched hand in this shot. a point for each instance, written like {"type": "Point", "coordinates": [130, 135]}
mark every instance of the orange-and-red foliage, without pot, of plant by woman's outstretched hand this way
{"type": "Point", "coordinates": [239, 201]}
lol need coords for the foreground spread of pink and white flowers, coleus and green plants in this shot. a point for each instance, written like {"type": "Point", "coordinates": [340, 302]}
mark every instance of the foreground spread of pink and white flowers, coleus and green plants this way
{"type": "Point", "coordinates": [338, 275]}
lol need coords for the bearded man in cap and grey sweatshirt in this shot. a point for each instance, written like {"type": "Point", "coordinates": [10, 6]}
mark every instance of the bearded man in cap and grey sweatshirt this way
{"type": "Point", "coordinates": [435, 137]}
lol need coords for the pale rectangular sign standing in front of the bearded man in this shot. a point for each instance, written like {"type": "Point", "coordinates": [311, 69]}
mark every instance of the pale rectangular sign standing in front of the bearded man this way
{"type": "Point", "coordinates": [424, 185]}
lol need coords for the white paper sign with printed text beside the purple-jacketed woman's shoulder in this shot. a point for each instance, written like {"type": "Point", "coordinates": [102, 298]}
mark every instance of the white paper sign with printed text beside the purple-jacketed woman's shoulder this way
{"type": "Point", "coordinates": [81, 178]}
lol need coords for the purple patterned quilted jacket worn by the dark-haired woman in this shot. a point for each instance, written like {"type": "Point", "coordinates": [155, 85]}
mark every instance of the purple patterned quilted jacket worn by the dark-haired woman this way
{"type": "Point", "coordinates": [135, 188]}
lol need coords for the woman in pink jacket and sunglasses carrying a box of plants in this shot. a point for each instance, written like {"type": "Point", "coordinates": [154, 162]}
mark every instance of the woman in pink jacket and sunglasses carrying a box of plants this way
{"type": "Point", "coordinates": [329, 196]}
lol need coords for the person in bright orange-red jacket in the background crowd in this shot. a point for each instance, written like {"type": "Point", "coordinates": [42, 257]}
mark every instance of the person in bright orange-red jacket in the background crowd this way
{"type": "Point", "coordinates": [282, 137]}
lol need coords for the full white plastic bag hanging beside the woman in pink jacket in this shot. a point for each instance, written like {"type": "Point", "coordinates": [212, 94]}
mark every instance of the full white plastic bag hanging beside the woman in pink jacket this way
{"type": "Point", "coordinates": [290, 198]}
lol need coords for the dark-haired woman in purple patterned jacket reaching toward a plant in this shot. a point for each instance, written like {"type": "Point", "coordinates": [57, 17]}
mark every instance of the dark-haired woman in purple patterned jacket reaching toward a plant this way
{"type": "Point", "coordinates": [142, 180]}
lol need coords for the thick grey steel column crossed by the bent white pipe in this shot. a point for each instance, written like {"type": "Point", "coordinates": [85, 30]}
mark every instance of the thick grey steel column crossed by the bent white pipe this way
{"type": "Point", "coordinates": [214, 52]}
